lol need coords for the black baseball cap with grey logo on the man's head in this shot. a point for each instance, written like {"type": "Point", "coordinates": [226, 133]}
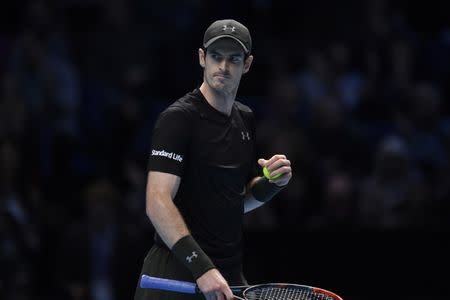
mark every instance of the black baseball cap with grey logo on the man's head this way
{"type": "Point", "coordinates": [228, 28]}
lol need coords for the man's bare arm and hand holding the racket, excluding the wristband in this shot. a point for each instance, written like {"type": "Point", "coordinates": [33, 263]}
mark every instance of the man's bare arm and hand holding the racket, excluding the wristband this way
{"type": "Point", "coordinates": [171, 227]}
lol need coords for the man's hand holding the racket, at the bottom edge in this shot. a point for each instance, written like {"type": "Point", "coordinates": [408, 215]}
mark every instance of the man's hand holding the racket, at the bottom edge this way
{"type": "Point", "coordinates": [214, 286]}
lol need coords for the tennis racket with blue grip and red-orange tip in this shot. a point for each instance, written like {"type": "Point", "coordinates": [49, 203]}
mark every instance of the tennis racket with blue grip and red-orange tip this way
{"type": "Point", "coordinates": [269, 291]}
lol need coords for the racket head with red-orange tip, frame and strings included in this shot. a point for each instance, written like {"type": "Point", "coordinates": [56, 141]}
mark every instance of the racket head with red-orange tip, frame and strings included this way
{"type": "Point", "coordinates": [282, 291]}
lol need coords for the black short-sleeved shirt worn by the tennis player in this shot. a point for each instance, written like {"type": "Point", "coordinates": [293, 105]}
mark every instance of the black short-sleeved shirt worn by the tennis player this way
{"type": "Point", "coordinates": [214, 154]}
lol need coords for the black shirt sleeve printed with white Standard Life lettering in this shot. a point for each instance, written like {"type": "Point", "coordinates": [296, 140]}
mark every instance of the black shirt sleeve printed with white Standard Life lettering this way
{"type": "Point", "coordinates": [170, 141]}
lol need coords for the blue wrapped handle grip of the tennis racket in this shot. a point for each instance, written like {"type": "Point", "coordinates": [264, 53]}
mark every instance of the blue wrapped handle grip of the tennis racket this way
{"type": "Point", "coordinates": [150, 282]}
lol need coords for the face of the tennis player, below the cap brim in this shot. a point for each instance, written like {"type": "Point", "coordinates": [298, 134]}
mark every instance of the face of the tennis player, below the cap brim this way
{"type": "Point", "coordinates": [224, 63]}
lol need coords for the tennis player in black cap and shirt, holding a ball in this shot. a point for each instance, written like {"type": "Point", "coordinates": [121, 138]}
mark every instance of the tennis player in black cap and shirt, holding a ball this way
{"type": "Point", "coordinates": [203, 174]}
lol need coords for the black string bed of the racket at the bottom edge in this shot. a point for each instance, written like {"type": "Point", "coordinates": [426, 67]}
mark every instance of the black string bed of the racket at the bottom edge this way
{"type": "Point", "coordinates": [279, 293]}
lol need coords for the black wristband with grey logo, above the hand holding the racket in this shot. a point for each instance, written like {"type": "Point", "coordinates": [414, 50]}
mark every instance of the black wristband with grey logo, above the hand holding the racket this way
{"type": "Point", "coordinates": [192, 256]}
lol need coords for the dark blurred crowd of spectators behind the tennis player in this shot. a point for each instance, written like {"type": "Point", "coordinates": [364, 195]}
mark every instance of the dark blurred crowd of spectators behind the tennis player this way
{"type": "Point", "coordinates": [356, 93]}
